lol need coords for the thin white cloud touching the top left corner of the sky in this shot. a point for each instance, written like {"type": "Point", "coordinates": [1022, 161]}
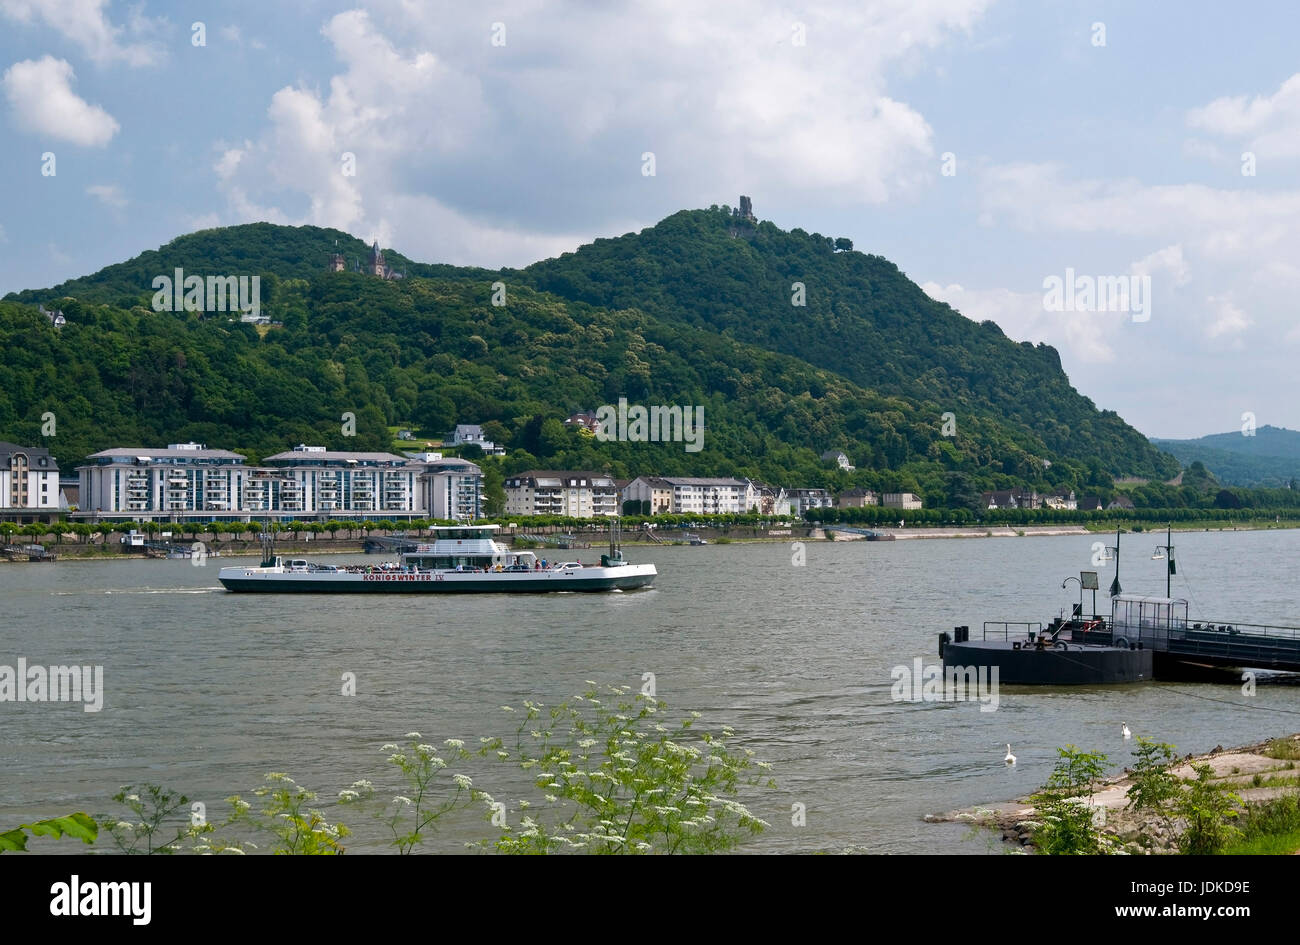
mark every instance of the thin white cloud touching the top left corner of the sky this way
{"type": "Point", "coordinates": [86, 24]}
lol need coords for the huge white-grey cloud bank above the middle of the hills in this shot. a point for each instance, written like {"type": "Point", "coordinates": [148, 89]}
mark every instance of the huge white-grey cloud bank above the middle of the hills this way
{"type": "Point", "coordinates": [553, 125]}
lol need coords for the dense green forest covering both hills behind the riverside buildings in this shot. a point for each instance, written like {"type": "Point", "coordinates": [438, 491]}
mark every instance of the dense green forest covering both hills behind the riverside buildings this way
{"type": "Point", "coordinates": [682, 314]}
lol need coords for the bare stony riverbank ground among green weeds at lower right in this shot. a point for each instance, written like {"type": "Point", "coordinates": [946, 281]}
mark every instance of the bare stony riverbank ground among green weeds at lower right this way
{"type": "Point", "coordinates": [1258, 774]}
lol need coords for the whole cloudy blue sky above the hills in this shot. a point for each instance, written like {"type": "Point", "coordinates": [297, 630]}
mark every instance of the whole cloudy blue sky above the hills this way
{"type": "Point", "coordinates": [994, 150]}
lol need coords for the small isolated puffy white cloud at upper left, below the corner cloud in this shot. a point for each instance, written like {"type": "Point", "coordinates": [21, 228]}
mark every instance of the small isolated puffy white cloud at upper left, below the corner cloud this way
{"type": "Point", "coordinates": [44, 102]}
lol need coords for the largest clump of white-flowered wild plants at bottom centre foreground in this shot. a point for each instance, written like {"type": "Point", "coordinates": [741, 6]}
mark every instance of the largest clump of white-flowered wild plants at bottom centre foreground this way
{"type": "Point", "coordinates": [616, 775]}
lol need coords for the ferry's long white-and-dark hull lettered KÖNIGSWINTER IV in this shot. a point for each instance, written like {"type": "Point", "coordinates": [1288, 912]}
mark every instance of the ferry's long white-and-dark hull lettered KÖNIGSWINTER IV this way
{"type": "Point", "coordinates": [265, 582]}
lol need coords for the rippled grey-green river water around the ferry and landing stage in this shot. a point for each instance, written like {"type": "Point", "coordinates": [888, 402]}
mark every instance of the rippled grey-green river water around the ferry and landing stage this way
{"type": "Point", "coordinates": [206, 691]}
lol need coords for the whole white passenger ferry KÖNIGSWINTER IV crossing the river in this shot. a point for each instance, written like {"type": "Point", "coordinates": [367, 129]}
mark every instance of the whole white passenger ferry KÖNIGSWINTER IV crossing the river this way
{"type": "Point", "coordinates": [461, 560]}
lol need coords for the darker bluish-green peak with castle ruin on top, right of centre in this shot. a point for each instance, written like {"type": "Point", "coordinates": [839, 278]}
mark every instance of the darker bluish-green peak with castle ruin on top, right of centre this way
{"type": "Point", "coordinates": [864, 319]}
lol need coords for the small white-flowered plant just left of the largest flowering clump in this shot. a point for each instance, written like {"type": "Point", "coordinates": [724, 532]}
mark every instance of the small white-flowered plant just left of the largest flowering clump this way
{"type": "Point", "coordinates": [410, 814]}
